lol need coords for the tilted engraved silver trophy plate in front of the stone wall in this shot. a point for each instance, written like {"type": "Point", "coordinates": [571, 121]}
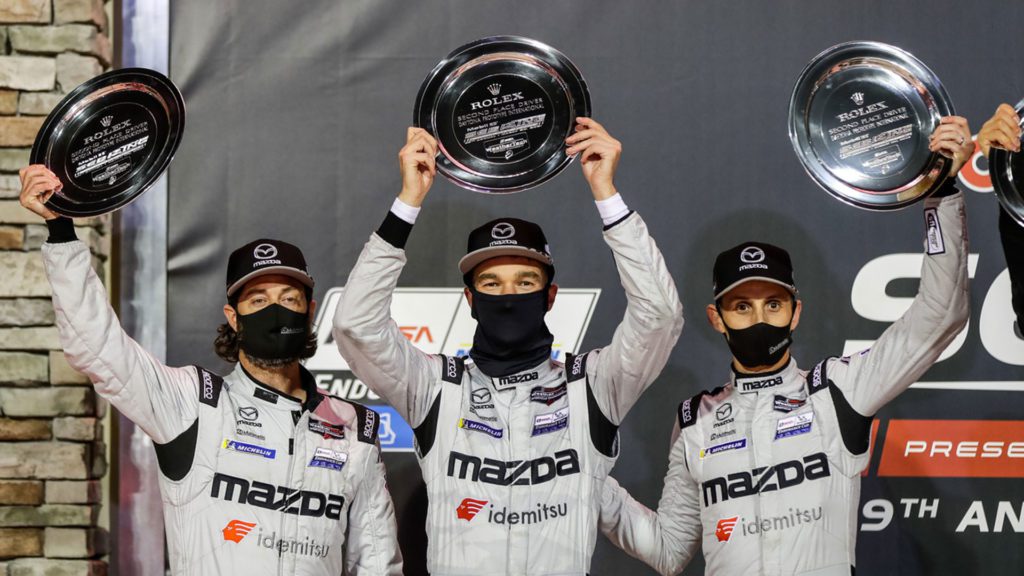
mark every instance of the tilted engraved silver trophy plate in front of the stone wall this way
{"type": "Point", "coordinates": [110, 140]}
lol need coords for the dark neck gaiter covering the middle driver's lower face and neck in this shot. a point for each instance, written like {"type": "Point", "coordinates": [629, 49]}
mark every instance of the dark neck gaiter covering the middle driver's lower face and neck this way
{"type": "Point", "coordinates": [511, 336]}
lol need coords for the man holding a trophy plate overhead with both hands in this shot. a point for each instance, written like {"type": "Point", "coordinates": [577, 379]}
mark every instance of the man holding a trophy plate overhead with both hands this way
{"type": "Point", "coordinates": [515, 447]}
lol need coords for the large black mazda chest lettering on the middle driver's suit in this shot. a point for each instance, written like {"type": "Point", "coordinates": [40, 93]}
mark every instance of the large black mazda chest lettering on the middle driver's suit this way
{"type": "Point", "coordinates": [515, 473]}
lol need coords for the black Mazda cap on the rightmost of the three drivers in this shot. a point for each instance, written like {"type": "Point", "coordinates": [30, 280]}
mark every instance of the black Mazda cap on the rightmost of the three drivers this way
{"type": "Point", "coordinates": [753, 261]}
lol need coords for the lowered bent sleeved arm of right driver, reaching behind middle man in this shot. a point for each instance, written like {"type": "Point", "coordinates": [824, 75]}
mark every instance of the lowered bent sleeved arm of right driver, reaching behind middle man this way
{"type": "Point", "coordinates": [666, 540]}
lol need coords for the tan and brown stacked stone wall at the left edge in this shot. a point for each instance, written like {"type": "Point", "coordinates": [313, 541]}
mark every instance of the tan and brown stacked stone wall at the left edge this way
{"type": "Point", "coordinates": [53, 456]}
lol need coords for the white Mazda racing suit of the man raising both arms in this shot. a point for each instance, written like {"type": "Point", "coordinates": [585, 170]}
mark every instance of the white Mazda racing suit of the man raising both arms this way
{"type": "Point", "coordinates": [515, 467]}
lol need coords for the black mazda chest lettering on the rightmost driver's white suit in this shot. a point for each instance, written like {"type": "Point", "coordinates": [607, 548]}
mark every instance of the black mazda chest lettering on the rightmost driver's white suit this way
{"type": "Point", "coordinates": [785, 475]}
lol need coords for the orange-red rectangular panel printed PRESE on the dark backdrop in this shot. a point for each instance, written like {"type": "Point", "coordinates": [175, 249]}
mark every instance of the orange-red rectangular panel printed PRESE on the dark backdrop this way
{"type": "Point", "coordinates": [954, 449]}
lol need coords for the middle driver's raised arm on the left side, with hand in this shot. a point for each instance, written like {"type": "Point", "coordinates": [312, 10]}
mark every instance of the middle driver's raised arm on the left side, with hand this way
{"type": "Point", "coordinates": [368, 338]}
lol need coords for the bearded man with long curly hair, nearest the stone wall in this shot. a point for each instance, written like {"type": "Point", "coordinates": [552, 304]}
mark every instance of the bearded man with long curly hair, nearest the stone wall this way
{"type": "Point", "coordinates": [261, 472]}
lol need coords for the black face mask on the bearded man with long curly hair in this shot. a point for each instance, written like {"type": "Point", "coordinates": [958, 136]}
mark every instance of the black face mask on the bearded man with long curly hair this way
{"type": "Point", "coordinates": [274, 334]}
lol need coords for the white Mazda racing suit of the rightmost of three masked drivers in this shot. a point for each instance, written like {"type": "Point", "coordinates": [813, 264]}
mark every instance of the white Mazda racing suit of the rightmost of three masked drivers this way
{"type": "Point", "coordinates": [764, 473]}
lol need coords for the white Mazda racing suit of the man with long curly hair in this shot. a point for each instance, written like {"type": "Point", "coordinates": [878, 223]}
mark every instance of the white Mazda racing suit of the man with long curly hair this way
{"type": "Point", "coordinates": [253, 481]}
